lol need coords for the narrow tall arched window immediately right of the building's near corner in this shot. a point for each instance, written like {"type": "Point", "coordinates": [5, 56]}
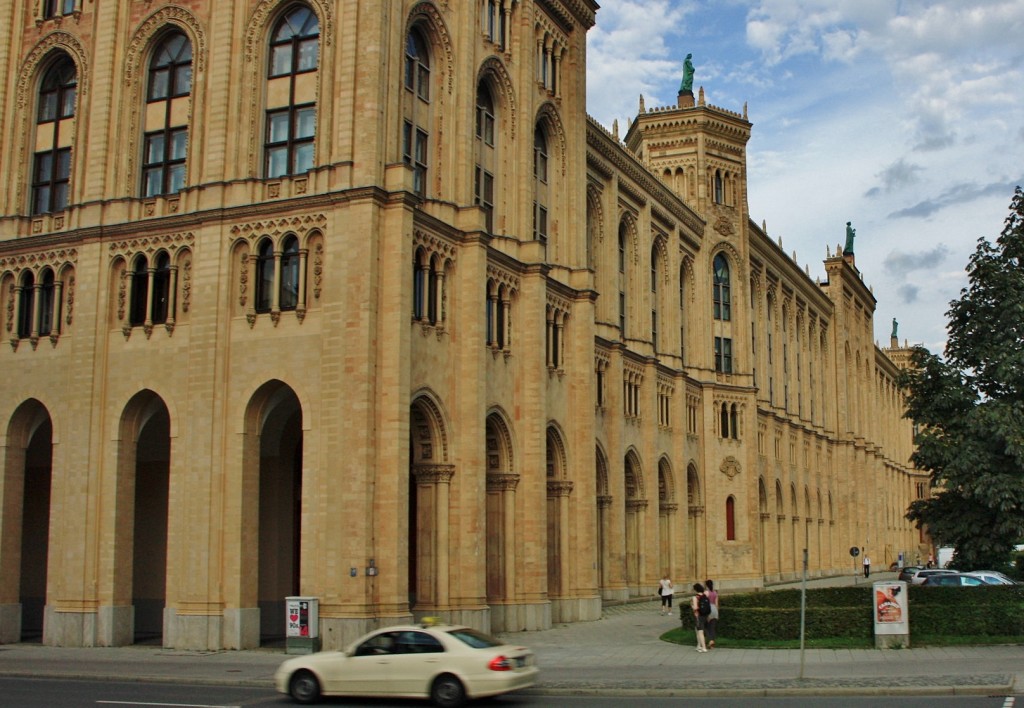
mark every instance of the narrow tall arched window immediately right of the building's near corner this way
{"type": "Point", "coordinates": [416, 110]}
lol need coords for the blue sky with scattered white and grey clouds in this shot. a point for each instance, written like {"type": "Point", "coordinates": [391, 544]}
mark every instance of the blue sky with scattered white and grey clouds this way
{"type": "Point", "coordinates": [905, 117]}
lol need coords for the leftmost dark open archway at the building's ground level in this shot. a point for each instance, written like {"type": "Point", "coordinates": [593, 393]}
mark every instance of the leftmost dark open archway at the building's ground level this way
{"type": "Point", "coordinates": [25, 522]}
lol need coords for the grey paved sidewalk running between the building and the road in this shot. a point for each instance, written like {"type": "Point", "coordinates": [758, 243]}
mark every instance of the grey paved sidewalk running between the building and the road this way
{"type": "Point", "coordinates": [619, 655]}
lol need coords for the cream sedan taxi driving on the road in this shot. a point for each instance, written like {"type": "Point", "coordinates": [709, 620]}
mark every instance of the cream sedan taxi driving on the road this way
{"type": "Point", "coordinates": [448, 664]}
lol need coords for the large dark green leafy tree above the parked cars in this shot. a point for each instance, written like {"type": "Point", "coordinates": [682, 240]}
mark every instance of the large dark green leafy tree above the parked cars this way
{"type": "Point", "coordinates": [970, 408]}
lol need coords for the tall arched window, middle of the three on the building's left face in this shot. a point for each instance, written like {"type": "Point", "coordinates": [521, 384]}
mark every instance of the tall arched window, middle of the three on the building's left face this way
{"type": "Point", "coordinates": [166, 117]}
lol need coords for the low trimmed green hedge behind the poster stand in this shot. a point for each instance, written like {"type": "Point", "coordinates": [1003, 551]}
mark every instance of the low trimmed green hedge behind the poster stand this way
{"type": "Point", "coordinates": [846, 612]}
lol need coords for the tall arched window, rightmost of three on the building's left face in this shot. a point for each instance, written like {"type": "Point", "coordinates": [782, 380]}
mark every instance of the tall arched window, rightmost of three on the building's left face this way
{"type": "Point", "coordinates": [291, 110]}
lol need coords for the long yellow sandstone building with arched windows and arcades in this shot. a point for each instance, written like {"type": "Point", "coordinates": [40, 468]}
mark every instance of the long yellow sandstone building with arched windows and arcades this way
{"type": "Point", "coordinates": [354, 301]}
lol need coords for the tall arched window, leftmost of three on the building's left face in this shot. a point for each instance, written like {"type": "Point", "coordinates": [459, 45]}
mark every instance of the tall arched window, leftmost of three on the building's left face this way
{"type": "Point", "coordinates": [52, 164]}
